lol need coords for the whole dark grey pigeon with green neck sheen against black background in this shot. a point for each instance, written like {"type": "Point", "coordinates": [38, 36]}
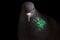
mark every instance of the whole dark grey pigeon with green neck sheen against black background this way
{"type": "Point", "coordinates": [33, 25]}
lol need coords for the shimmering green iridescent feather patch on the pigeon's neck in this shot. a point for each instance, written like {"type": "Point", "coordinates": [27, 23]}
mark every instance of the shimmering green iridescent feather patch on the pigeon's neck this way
{"type": "Point", "coordinates": [40, 23]}
